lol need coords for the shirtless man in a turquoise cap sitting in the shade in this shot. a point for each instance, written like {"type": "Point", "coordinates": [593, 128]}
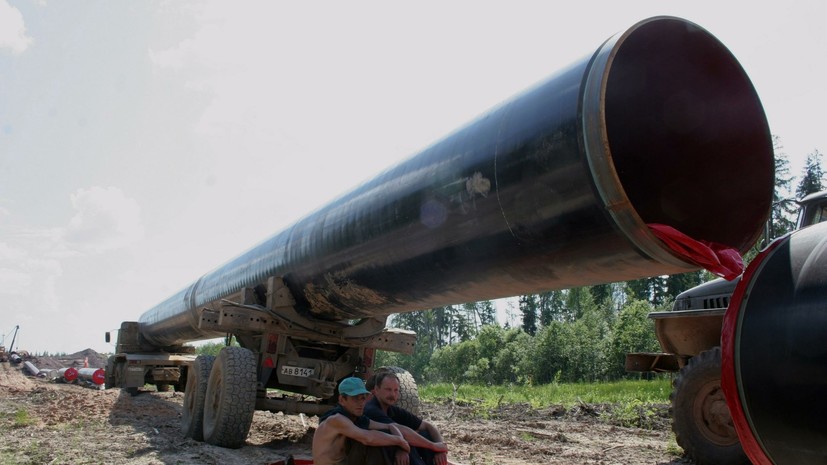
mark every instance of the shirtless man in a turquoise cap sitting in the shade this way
{"type": "Point", "coordinates": [345, 436]}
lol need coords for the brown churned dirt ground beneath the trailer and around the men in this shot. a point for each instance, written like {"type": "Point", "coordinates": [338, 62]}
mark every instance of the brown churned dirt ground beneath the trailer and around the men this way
{"type": "Point", "coordinates": [44, 422]}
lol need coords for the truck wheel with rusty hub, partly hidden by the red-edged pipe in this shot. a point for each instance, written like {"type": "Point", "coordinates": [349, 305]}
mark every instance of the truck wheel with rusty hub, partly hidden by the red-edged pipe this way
{"type": "Point", "coordinates": [700, 417]}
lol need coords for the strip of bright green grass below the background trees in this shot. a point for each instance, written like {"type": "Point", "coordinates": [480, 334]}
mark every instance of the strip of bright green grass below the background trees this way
{"type": "Point", "coordinates": [616, 392]}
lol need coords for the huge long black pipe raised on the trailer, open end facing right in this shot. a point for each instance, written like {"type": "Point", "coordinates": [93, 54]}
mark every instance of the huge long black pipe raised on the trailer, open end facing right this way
{"type": "Point", "coordinates": [550, 190]}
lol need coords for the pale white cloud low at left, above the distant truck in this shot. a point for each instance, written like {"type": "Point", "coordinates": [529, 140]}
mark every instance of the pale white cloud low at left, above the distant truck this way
{"type": "Point", "coordinates": [39, 264]}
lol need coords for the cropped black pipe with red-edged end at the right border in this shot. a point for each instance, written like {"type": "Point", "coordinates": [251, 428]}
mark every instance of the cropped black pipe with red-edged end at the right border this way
{"type": "Point", "coordinates": [774, 357]}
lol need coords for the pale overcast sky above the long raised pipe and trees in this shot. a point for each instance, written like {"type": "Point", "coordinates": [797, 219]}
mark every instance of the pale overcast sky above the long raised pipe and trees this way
{"type": "Point", "coordinates": [143, 143]}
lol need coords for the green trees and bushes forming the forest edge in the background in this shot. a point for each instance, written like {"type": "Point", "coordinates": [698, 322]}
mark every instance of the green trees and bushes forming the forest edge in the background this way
{"type": "Point", "coordinates": [570, 335]}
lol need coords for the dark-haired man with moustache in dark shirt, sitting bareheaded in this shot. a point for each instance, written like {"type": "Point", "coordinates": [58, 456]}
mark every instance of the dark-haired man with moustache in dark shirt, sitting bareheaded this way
{"type": "Point", "coordinates": [427, 445]}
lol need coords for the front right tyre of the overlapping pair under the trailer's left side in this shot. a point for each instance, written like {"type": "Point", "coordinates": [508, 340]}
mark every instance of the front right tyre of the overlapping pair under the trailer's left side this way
{"type": "Point", "coordinates": [231, 398]}
